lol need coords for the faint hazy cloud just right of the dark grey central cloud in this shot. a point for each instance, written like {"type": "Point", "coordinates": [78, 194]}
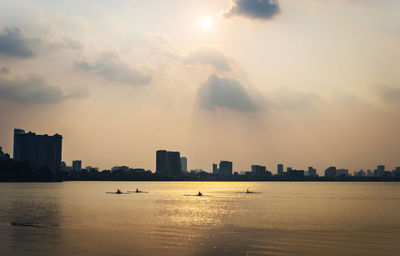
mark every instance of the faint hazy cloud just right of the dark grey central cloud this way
{"type": "Point", "coordinates": [289, 99]}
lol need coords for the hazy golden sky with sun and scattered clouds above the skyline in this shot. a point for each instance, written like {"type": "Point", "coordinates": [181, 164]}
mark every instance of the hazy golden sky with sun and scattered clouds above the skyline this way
{"type": "Point", "coordinates": [303, 83]}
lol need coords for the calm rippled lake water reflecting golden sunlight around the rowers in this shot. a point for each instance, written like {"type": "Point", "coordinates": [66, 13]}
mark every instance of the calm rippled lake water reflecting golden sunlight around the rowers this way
{"type": "Point", "coordinates": [293, 218]}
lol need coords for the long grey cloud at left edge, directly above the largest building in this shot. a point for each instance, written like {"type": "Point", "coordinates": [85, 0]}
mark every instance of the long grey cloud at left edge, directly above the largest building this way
{"type": "Point", "coordinates": [34, 89]}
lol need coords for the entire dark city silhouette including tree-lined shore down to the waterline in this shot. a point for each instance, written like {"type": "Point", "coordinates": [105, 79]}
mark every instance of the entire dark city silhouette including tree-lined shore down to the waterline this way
{"type": "Point", "coordinates": [43, 154]}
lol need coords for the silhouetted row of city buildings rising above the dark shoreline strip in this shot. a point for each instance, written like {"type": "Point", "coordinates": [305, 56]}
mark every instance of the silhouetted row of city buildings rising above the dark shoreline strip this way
{"type": "Point", "coordinates": [44, 151]}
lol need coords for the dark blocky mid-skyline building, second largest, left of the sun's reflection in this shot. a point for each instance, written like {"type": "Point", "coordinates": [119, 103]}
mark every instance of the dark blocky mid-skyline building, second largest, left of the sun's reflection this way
{"type": "Point", "coordinates": [168, 163]}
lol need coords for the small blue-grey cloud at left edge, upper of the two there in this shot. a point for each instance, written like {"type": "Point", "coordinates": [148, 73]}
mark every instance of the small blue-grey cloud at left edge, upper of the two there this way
{"type": "Point", "coordinates": [14, 43]}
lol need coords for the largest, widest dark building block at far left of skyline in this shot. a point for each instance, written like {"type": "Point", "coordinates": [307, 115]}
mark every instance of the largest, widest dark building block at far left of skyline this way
{"type": "Point", "coordinates": [37, 150]}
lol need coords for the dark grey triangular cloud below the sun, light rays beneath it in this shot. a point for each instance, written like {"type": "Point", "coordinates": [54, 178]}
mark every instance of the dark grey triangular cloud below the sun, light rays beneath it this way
{"type": "Point", "coordinates": [225, 93]}
